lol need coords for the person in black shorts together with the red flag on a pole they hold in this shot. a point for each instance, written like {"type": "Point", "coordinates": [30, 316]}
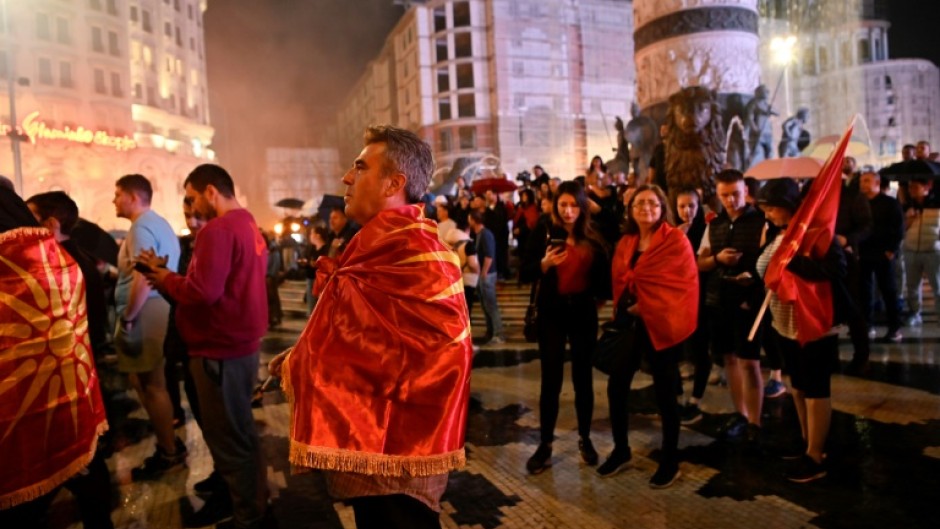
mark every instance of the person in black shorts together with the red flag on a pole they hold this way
{"type": "Point", "coordinates": [801, 268]}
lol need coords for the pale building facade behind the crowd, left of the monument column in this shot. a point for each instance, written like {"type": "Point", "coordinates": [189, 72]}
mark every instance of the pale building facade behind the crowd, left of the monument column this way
{"type": "Point", "coordinates": [528, 81]}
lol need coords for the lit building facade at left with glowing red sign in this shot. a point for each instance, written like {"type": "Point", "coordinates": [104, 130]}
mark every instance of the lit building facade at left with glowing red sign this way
{"type": "Point", "coordinates": [104, 88]}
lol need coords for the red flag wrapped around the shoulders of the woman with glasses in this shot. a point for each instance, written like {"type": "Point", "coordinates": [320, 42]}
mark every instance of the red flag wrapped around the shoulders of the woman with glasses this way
{"type": "Point", "coordinates": [664, 282]}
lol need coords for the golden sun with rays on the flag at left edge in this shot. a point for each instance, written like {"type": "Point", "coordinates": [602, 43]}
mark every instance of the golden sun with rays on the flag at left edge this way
{"type": "Point", "coordinates": [55, 323]}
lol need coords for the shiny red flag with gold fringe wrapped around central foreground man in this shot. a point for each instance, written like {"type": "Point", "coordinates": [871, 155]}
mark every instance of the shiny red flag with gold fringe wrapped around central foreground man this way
{"type": "Point", "coordinates": [380, 378]}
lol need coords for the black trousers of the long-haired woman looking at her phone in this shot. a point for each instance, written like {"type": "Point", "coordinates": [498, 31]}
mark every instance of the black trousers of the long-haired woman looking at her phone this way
{"type": "Point", "coordinates": [572, 319]}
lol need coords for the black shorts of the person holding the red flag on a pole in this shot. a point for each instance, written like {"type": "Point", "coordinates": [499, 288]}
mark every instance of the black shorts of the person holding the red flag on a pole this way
{"type": "Point", "coordinates": [811, 366]}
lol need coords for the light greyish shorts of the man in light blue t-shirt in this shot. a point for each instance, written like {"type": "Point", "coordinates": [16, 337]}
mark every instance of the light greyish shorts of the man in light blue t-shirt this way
{"type": "Point", "coordinates": [141, 349]}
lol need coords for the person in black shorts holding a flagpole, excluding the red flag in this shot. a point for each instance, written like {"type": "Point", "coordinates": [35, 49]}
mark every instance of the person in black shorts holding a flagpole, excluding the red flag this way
{"type": "Point", "coordinates": [809, 365]}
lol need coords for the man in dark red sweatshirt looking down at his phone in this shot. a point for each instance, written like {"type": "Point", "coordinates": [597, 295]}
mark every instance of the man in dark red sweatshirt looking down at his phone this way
{"type": "Point", "coordinates": [222, 314]}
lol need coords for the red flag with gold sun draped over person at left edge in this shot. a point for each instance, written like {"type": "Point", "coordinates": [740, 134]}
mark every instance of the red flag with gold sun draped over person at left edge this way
{"type": "Point", "coordinates": [51, 411]}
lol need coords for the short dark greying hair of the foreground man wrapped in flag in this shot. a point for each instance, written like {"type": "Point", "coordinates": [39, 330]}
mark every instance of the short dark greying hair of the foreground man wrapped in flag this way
{"type": "Point", "coordinates": [405, 152]}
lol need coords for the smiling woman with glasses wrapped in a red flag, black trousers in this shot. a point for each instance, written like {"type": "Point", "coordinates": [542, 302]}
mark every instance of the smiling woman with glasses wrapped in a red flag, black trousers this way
{"type": "Point", "coordinates": [655, 279]}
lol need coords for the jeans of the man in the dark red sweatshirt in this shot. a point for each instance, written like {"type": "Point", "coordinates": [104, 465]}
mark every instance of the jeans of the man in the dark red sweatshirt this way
{"type": "Point", "coordinates": [225, 388]}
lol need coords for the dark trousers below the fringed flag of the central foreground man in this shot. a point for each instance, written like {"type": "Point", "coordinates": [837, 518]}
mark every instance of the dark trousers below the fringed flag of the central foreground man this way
{"type": "Point", "coordinates": [396, 511]}
